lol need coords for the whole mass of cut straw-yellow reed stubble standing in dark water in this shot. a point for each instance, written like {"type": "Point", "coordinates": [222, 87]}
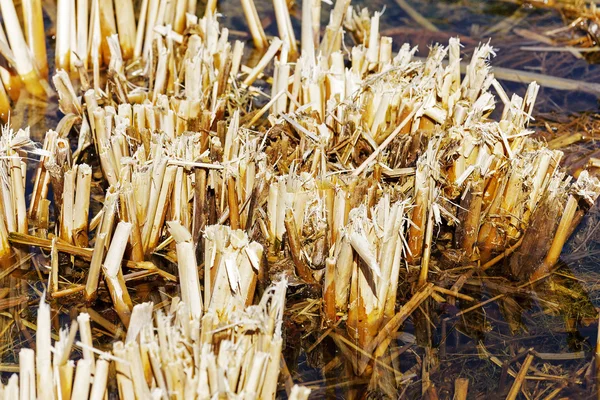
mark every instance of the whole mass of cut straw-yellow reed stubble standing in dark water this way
{"type": "Point", "coordinates": [381, 184]}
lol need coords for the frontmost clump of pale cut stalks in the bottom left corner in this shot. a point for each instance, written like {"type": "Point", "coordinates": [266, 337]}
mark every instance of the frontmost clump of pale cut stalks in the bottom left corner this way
{"type": "Point", "coordinates": [164, 355]}
